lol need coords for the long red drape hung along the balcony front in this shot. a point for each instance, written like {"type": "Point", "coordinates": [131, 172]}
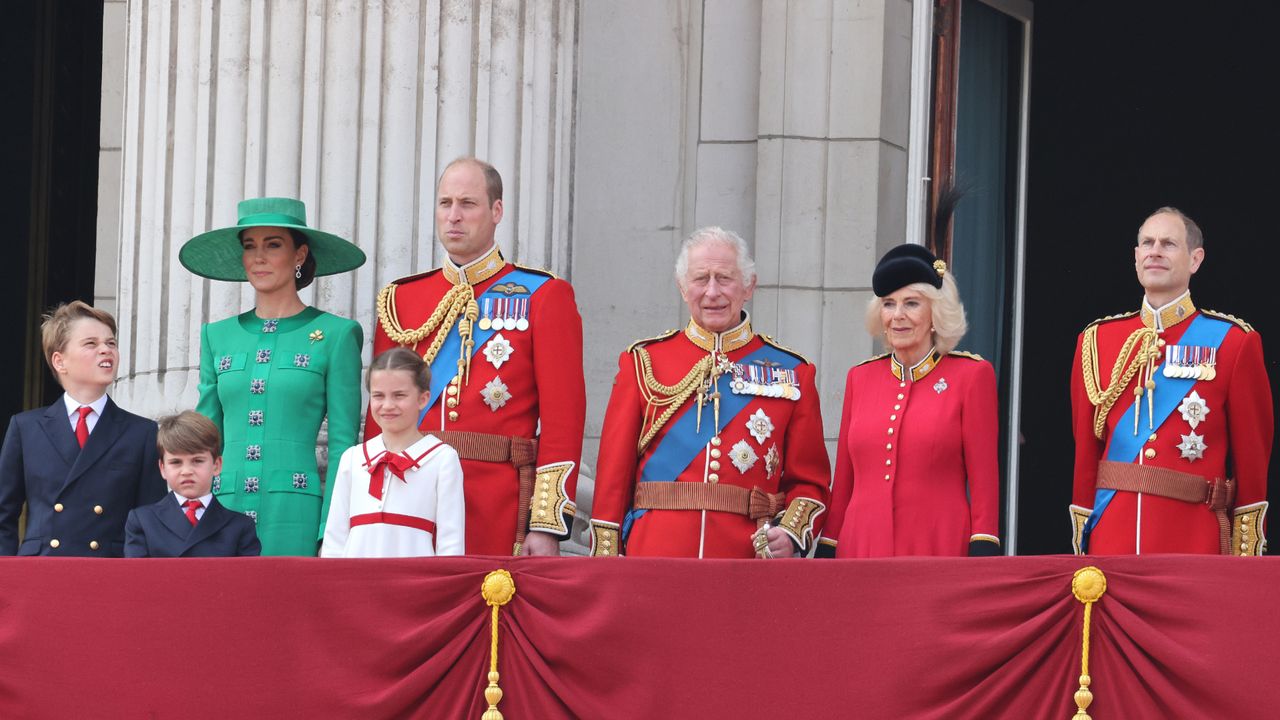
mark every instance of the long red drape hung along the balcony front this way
{"type": "Point", "coordinates": [619, 639]}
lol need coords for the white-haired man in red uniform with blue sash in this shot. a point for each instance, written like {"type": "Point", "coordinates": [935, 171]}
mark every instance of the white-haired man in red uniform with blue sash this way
{"type": "Point", "coordinates": [712, 443]}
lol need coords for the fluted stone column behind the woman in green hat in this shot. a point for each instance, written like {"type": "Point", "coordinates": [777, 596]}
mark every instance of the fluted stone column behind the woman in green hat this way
{"type": "Point", "coordinates": [353, 106]}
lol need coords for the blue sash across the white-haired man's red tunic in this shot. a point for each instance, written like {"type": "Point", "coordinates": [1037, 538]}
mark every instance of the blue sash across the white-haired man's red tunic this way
{"type": "Point", "coordinates": [683, 441]}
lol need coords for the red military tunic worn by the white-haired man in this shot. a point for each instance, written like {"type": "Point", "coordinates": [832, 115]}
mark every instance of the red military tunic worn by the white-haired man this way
{"type": "Point", "coordinates": [772, 444]}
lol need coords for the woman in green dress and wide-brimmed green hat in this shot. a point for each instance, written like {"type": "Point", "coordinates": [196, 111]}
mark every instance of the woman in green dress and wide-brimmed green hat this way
{"type": "Point", "coordinates": [271, 376]}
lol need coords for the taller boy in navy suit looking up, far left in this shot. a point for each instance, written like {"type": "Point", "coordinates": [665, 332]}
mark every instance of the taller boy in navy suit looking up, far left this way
{"type": "Point", "coordinates": [83, 463]}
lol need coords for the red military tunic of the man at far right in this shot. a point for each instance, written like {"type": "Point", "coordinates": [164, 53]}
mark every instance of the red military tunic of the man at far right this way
{"type": "Point", "coordinates": [1233, 439]}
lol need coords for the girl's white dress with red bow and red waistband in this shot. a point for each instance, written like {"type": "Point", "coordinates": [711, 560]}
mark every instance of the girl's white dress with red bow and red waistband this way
{"type": "Point", "coordinates": [432, 493]}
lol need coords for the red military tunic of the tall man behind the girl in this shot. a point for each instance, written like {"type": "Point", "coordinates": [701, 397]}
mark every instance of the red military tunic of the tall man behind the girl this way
{"type": "Point", "coordinates": [524, 382]}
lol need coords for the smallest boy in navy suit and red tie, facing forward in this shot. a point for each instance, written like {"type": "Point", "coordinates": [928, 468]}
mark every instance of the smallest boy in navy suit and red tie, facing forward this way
{"type": "Point", "coordinates": [190, 522]}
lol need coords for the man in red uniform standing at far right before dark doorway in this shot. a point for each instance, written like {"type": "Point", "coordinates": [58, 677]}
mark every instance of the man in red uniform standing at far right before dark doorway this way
{"type": "Point", "coordinates": [1172, 414]}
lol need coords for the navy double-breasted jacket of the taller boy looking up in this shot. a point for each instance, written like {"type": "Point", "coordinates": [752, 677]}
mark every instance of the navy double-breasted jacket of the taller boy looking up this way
{"type": "Point", "coordinates": [77, 499]}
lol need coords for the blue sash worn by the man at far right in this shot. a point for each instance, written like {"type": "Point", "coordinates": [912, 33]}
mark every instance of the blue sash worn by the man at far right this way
{"type": "Point", "coordinates": [1124, 448]}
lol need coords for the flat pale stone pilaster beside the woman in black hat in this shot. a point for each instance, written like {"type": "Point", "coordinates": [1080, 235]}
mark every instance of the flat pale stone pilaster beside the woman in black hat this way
{"type": "Point", "coordinates": [831, 175]}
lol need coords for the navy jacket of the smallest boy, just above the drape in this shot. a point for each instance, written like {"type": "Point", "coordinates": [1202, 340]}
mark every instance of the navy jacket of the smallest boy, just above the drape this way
{"type": "Point", "coordinates": [163, 531]}
